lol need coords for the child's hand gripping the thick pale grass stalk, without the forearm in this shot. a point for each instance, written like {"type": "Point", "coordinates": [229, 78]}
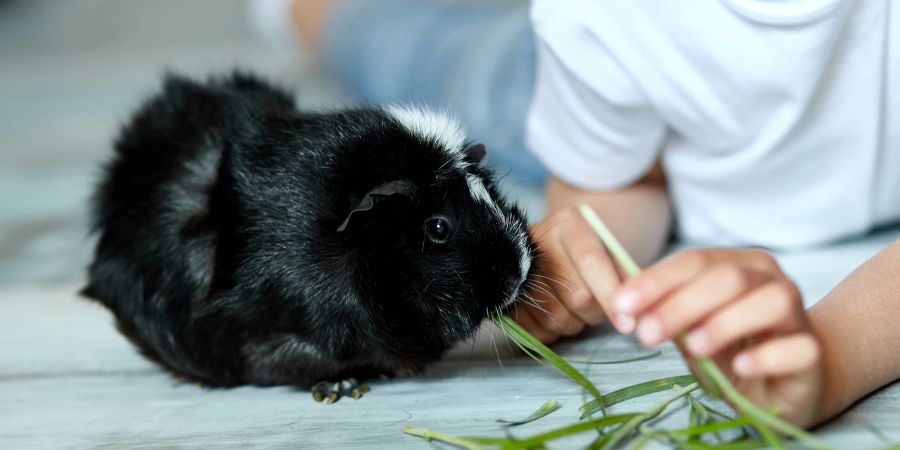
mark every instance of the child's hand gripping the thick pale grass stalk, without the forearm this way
{"type": "Point", "coordinates": [737, 307]}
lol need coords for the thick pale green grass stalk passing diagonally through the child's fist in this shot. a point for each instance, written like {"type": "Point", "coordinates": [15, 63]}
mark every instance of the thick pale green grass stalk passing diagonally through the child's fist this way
{"type": "Point", "coordinates": [759, 418]}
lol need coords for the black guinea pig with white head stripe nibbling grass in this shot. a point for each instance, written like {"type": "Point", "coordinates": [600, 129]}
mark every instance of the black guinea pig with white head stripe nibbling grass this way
{"type": "Point", "coordinates": [242, 241]}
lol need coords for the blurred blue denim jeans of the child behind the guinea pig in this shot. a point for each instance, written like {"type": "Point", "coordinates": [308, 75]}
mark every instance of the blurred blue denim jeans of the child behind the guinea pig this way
{"type": "Point", "coordinates": [475, 59]}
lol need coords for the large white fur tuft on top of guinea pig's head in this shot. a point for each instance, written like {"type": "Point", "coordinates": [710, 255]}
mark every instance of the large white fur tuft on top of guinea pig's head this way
{"type": "Point", "coordinates": [430, 125]}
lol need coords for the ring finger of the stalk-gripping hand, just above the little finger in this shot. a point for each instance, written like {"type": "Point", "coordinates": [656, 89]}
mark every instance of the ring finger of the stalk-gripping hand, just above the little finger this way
{"type": "Point", "coordinates": [773, 306]}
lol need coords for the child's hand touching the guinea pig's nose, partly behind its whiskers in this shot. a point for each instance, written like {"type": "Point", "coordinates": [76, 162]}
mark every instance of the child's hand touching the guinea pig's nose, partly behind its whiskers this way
{"type": "Point", "coordinates": [578, 277]}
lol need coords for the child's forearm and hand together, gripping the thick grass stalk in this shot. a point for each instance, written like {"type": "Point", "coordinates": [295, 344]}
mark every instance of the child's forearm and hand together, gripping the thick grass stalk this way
{"type": "Point", "coordinates": [737, 307]}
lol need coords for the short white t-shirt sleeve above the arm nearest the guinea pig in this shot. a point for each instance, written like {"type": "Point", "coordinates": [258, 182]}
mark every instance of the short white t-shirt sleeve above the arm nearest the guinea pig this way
{"type": "Point", "coordinates": [589, 122]}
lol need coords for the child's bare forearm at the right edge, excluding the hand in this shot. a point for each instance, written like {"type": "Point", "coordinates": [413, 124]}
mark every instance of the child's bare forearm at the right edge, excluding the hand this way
{"type": "Point", "coordinates": [857, 325]}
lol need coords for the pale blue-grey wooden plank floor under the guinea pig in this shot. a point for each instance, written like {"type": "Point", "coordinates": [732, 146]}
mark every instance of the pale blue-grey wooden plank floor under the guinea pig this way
{"type": "Point", "coordinates": [69, 73]}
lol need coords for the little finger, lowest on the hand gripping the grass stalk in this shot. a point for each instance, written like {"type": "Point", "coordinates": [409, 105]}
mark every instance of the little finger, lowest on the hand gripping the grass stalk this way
{"type": "Point", "coordinates": [777, 357]}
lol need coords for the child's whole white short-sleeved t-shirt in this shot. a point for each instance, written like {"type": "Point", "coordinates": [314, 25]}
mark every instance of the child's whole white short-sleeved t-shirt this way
{"type": "Point", "coordinates": [777, 121]}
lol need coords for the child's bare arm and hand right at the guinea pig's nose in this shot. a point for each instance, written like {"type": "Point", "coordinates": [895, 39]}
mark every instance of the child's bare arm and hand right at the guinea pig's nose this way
{"type": "Point", "coordinates": [578, 277]}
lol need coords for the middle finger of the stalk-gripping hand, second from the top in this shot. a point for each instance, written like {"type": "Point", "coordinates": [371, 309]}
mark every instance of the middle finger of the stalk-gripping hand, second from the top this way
{"type": "Point", "coordinates": [695, 300]}
